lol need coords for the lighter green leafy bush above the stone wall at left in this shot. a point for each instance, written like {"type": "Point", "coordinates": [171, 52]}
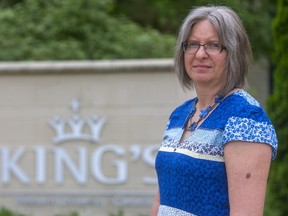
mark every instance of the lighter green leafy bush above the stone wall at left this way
{"type": "Point", "coordinates": [58, 30]}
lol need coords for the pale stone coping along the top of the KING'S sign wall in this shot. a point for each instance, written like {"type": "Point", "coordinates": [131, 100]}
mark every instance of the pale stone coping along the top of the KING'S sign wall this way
{"type": "Point", "coordinates": [93, 66]}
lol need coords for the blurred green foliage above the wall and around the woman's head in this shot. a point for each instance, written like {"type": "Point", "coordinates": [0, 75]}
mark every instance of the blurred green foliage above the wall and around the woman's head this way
{"type": "Point", "coordinates": [111, 29]}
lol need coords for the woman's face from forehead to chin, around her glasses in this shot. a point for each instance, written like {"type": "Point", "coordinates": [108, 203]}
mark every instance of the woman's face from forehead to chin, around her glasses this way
{"type": "Point", "coordinates": [201, 67]}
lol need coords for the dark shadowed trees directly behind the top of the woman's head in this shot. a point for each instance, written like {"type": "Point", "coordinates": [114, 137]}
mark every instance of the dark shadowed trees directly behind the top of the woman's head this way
{"type": "Point", "coordinates": [167, 16]}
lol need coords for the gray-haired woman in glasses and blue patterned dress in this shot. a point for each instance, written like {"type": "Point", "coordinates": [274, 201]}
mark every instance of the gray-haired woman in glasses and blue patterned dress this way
{"type": "Point", "coordinates": [217, 147]}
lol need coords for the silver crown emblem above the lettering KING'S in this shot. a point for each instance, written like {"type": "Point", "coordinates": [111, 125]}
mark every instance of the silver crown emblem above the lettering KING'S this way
{"type": "Point", "coordinates": [77, 128]}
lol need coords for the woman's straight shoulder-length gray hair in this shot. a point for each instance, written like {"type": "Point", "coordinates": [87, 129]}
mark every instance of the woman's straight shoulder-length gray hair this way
{"type": "Point", "coordinates": [232, 35]}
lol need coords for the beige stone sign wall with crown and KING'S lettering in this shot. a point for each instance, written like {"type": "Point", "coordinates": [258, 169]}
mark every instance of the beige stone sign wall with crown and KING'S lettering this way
{"type": "Point", "coordinates": [82, 136]}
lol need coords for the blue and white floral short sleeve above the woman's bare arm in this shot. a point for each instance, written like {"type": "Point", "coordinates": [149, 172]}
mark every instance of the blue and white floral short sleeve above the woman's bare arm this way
{"type": "Point", "coordinates": [250, 130]}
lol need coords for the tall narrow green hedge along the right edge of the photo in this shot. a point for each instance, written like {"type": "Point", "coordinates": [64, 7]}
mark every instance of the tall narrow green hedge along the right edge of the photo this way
{"type": "Point", "coordinates": [277, 109]}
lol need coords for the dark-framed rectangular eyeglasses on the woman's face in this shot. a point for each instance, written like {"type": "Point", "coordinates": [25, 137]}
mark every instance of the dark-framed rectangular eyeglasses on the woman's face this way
{"type": "Point", "coordinates": [212, 48]}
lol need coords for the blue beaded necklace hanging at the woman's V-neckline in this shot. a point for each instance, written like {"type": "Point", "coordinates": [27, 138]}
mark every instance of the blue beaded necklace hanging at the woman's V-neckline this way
{"type": "Point", "coordinates": [203, 113]}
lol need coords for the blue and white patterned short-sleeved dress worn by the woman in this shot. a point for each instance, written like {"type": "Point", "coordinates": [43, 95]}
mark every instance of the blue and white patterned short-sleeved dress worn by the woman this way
{"type": "Point", "coordinates": [191, 175]}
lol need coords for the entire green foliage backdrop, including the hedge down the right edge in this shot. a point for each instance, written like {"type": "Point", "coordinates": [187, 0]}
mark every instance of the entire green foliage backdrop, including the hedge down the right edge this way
{"type": "Point", "coordinates": [126, 29]}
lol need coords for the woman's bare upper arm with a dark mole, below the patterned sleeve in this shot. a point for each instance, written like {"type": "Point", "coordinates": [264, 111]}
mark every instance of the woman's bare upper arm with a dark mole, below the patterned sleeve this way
{"type": "Point", "coordinates": [247, 166]}
